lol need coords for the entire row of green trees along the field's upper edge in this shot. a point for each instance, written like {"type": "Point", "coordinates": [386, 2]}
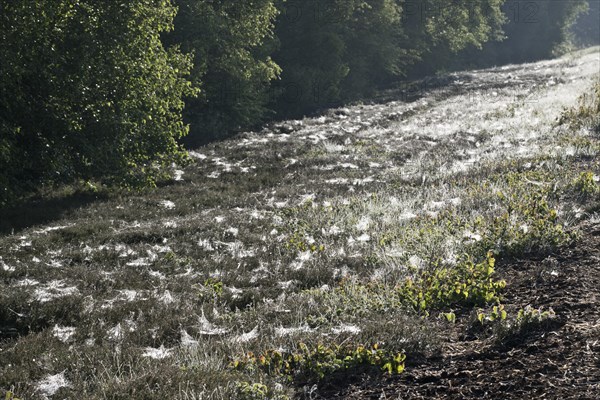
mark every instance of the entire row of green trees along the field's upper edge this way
{"type": "Point", "coordinates": [99, 90]}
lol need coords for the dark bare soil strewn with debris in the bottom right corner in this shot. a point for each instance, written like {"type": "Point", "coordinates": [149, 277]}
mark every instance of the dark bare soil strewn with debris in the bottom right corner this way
{"type": "Point", "coordinates": [558, 360]}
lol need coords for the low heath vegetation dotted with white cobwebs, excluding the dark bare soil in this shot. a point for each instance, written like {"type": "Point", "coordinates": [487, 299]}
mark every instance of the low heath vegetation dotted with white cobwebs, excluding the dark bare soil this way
{"type": "Point", "coordinates": [153, 295]}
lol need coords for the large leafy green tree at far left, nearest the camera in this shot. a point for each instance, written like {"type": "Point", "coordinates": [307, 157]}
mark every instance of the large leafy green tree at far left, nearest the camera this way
{"type": "Point", "coordinates": [87, 91]}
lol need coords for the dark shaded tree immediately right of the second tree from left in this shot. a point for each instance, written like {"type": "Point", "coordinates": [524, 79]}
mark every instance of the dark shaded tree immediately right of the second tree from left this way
{"type": "Point", "coordinates": [311, 52]}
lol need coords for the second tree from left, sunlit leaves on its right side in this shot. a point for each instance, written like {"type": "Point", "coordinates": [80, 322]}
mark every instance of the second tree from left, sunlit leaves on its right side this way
{"type": "Point", "coordinates": [232, 66]}
